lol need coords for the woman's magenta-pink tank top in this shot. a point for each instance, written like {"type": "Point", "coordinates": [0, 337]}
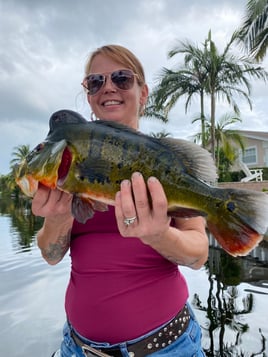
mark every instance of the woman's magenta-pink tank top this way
{"type": "Point", "coordinates": [119, 288]}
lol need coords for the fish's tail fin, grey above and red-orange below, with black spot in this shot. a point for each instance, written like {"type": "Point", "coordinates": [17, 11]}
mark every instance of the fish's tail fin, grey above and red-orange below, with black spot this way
{"type": "Point", "coordinates": [240, 221]}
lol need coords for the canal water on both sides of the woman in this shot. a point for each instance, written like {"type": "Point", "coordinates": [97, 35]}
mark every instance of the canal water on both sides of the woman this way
{"type": "Point", "coordinates": [229, 296]}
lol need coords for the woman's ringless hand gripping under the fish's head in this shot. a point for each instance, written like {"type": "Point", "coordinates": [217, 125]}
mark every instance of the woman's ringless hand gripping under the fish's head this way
{"type": "Point", "coordinates": [49, 203]}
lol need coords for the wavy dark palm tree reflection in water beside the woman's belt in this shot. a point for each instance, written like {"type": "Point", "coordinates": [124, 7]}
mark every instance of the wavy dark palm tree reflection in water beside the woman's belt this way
{"type": "Point", "coordinates": [226, 316]}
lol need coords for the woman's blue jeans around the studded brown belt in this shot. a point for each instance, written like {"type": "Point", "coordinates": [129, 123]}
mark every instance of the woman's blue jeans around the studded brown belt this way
{"type": "Point", "coordinates": [187, 345]}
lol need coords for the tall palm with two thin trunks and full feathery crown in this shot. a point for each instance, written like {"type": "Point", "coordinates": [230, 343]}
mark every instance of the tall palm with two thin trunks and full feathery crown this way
{"type": "Point", "coordinates": [207, 72]}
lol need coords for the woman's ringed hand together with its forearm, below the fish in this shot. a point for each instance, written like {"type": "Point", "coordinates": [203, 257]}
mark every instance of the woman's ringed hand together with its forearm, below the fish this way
{"type": "Point", "coordinates": [185, 243]}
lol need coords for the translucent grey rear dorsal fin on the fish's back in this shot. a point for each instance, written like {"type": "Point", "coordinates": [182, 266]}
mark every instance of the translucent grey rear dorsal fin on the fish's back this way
{"type": "Point", "coordinates": [196, 161]}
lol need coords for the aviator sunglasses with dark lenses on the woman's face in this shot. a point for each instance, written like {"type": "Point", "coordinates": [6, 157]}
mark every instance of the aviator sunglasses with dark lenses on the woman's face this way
{"type": "Point", "coordinates": [123, 79]}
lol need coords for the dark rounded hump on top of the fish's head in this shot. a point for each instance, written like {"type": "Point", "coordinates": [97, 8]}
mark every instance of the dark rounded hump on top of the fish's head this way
{"type": "Point", "coordinates": [65, 116]}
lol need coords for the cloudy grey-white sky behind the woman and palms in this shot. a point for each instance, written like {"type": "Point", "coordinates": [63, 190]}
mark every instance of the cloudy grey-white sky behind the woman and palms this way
{"type": "Point", "coordinates": [44, 46]}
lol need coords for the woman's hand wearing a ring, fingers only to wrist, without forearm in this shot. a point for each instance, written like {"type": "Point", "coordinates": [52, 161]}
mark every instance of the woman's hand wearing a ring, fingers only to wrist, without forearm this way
{"type": "Point", "coordinates": [147, 203]}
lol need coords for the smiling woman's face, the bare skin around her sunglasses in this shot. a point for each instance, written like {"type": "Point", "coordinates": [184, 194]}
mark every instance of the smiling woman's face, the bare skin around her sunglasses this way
{"type": "Point", "coordinates": [112, 103]}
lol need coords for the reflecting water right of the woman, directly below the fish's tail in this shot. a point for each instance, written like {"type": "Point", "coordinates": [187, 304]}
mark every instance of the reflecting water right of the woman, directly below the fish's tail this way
{"type": "Point", "coordinates": [228, 314]}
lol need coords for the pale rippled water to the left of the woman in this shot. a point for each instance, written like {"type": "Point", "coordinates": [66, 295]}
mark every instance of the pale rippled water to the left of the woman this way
{"type": "Point", "coordinates": [31, 297]}
